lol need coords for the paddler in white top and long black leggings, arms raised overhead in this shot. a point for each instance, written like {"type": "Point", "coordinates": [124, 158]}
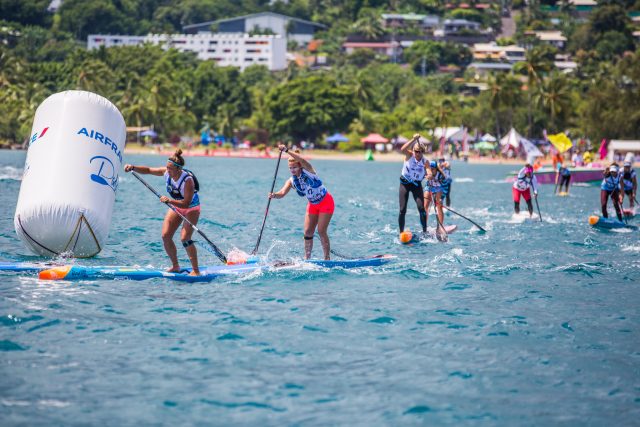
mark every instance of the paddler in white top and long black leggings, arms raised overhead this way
{"type": "Point", "coordinates": [413, 172]}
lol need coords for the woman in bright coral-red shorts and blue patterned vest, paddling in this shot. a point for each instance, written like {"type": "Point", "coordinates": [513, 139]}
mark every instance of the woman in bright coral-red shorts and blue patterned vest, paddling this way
{"type": "Point", "coordinates": [320, 206]}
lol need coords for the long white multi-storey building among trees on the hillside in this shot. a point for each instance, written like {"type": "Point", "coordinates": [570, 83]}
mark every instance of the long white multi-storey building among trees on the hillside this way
{"type": "Point", "coordinates": [229, 49]}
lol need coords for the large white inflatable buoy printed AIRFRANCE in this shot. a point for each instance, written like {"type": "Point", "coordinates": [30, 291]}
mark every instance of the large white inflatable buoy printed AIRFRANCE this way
{"type": "Point", "coordinates": [70, 175]}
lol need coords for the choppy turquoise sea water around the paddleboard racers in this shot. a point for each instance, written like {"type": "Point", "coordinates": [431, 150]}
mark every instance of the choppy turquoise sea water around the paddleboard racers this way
{"type": "Point", "coordinates": [530, 323]}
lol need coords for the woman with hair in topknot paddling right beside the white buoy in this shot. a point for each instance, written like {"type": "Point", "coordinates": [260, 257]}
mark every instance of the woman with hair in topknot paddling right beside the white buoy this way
{"type": "Point", "coordinates": [182, 187]}
